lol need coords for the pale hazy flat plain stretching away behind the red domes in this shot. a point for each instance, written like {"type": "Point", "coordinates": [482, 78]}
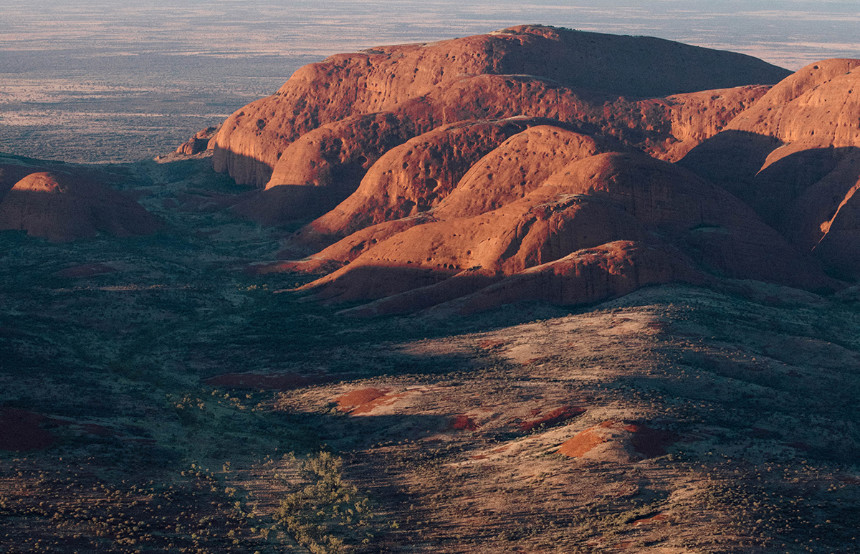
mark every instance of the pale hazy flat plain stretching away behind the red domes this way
{"type": "Point", "coordinates": [77, 80]}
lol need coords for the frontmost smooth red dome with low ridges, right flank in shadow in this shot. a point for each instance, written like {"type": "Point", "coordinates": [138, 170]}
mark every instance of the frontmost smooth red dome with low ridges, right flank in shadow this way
{"type": "Point", "coordinates": [599, 227]}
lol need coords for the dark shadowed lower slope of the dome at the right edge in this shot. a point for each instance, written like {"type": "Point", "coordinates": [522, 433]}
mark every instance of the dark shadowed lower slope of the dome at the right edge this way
{"type": "Point", "coordinates": [805, 194]}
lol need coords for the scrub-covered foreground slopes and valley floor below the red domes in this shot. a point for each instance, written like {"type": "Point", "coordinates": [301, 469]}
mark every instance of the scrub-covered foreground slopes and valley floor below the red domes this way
{"type": "Point", "coordinates": [154, 393]}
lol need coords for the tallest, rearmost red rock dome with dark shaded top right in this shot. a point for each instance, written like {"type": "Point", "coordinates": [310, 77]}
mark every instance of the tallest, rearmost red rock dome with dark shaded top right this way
{"type": "Point", "coordinates": [461, 79]}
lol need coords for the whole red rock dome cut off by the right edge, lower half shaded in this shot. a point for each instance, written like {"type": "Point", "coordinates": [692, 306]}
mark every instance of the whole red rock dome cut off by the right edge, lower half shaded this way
{"type": "Point", "coordinates": [796, 160]}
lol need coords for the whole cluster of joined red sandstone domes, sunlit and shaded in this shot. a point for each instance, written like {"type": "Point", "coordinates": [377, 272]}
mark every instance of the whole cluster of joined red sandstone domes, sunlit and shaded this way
{"type": "Point", "coordinates": [539, 164]}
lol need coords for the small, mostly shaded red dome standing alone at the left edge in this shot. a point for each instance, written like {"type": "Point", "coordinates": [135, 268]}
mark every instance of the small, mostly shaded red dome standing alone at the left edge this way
{"type": "Point", "coordinates": [63, 206]}
